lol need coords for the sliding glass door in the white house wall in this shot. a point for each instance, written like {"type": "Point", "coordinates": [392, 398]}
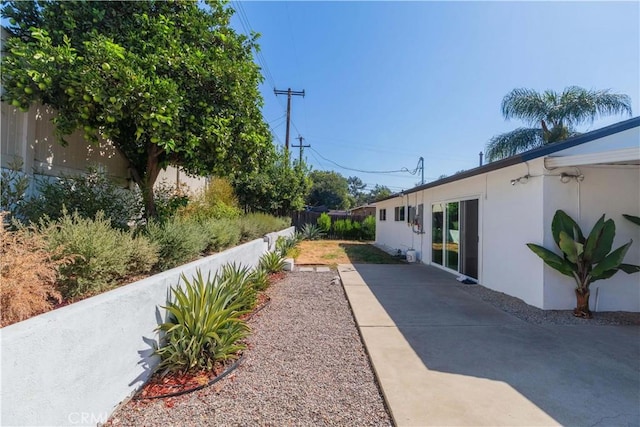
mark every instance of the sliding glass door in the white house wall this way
{"type": "Point", "coordinates": [454, 236]}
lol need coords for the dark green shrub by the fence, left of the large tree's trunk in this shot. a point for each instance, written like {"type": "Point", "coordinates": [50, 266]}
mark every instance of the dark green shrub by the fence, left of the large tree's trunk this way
{"type": "Point", "coordinates": [86, 194]}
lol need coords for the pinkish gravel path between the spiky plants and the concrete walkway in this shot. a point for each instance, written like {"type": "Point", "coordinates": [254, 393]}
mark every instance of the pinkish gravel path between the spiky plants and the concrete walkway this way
{"type": "Point", "coordinates": [305, 366]}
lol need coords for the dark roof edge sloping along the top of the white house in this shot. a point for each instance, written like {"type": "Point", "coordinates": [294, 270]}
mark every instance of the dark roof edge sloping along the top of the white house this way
{"type": "Point", "coordinates": [529, 155]}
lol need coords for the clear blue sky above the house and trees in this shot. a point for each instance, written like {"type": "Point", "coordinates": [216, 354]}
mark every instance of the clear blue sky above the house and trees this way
{"type": "Point", "coordinates": [388, 82]}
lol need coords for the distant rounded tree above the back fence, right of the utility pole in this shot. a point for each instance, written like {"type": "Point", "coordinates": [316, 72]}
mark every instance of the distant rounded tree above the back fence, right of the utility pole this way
{"type": "Point", "coordinates": [329, 189]}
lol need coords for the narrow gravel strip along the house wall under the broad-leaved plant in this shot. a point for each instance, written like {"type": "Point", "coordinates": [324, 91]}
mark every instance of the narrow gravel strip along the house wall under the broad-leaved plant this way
{"type": "Point", "coordinates": [521, 310]}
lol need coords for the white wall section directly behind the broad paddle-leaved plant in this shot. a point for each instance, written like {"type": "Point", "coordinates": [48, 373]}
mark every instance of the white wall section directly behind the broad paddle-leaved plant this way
{"type": "Point", "coordinates": [609, 190]}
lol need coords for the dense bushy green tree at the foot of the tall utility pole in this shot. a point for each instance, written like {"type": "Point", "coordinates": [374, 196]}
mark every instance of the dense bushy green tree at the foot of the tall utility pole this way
{"type": "Point", "coordinates": [278, 188]}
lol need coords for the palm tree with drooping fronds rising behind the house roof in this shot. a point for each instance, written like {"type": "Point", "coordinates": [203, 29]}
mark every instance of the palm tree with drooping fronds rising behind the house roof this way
{"type": "Point", "coordinates": [557, 114]}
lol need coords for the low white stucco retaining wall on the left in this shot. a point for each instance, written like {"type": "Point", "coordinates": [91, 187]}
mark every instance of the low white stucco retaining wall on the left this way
{"type": "Point", "coordinates": [74, 365]}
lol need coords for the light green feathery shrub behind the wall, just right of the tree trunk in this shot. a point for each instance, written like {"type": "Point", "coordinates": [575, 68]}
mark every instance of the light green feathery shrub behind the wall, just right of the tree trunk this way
{"type": "Point", "coordinates": [179, 240]}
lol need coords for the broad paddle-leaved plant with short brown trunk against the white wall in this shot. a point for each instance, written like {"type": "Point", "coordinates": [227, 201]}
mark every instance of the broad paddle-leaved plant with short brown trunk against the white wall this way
{"type": "Point", "coordinates": [585, 259]}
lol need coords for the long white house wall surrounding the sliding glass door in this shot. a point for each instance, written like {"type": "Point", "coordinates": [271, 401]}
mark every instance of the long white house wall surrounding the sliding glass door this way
{"type": "Point", "coordinates": [509, 217]}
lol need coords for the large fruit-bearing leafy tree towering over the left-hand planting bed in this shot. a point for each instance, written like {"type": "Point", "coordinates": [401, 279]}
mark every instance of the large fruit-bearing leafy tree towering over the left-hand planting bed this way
{"type": "Point", "coordinates": [168, 82]}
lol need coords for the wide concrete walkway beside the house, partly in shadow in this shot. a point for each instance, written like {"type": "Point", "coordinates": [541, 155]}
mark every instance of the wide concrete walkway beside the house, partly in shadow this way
{"type": "Point", "coordinates": [443, 357]}
